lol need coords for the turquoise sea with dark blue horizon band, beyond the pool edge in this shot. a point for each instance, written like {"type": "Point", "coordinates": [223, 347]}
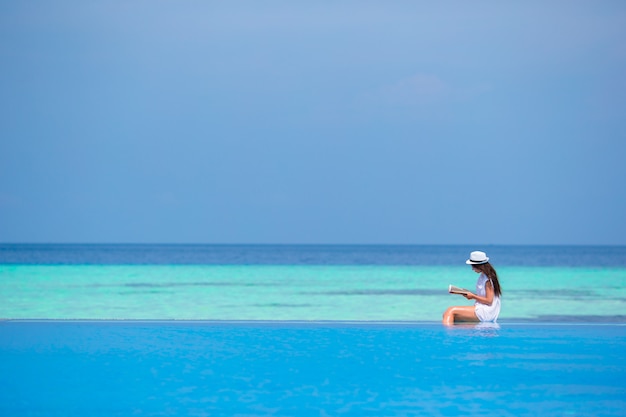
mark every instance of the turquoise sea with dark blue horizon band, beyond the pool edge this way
{"type": "Point", "coordinates": [308, 282]}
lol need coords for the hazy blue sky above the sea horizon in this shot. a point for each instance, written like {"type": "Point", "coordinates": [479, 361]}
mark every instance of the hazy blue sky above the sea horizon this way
{"type": "Point", "coordinates": [322, 122]}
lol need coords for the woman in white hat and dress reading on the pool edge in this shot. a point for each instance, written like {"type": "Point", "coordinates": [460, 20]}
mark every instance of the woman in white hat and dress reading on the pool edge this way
{"type": "Point", "coordinates": [487, 305]}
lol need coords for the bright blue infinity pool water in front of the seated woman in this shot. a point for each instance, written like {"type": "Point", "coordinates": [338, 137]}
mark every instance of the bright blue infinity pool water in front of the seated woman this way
{"type": "Point", "coordinates": [231, 368]}
